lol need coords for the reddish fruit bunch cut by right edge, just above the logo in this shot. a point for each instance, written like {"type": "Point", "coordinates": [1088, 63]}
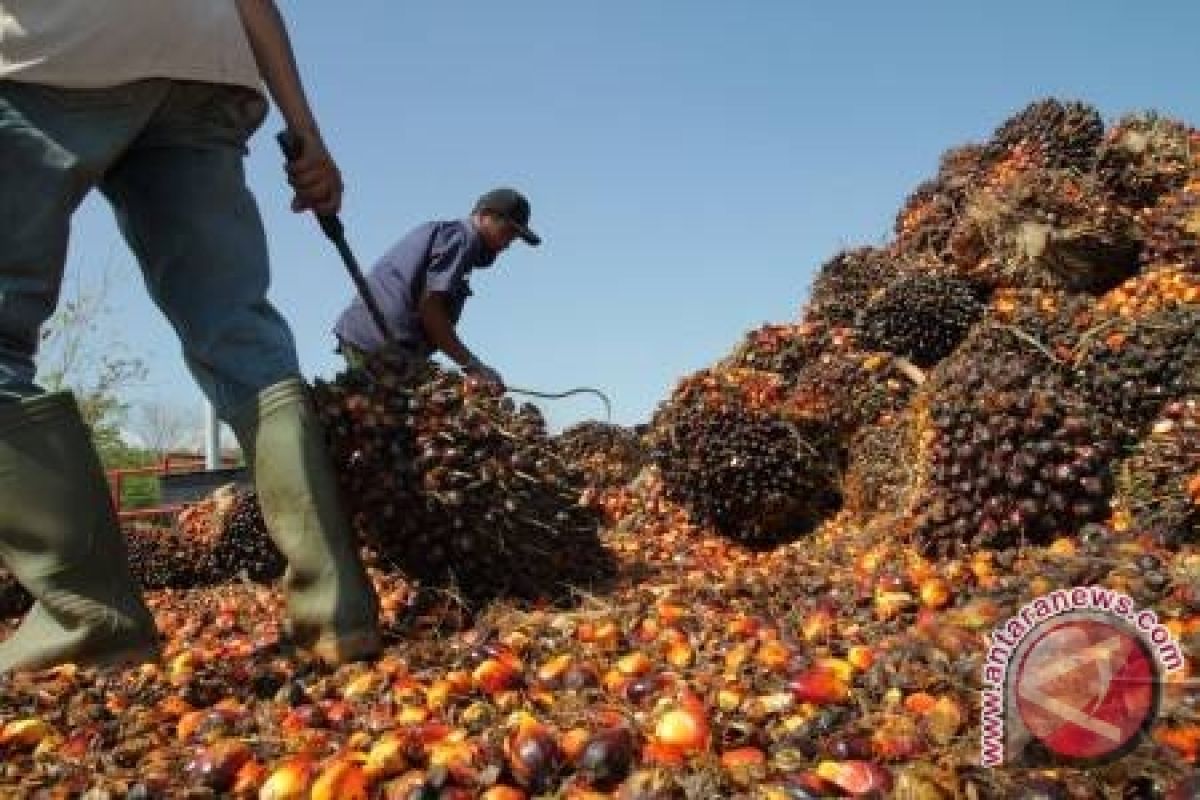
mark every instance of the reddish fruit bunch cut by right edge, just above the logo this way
{"type": "Point", "coordinates": [1159, 486]}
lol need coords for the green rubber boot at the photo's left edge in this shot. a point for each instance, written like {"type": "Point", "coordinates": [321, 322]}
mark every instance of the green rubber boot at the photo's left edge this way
{"type": "Point", "coordinates": [61, 539]}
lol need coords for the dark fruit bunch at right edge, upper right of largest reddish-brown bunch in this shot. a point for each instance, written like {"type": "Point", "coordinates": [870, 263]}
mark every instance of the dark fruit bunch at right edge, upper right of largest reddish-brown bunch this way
{"type": "Point", "coordinates": [1133, 368]}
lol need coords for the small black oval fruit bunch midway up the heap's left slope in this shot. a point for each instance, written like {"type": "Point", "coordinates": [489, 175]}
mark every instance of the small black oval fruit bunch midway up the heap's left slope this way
{"type": "Point", "coordinates": [922, 318]}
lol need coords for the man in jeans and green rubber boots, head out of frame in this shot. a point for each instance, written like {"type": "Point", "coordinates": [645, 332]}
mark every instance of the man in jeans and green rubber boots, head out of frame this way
{"type": "Point", "coordinates": [153, 103]}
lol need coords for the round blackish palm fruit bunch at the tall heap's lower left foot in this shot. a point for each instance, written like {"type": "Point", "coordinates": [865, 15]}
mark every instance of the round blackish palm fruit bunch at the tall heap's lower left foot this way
{"type": "Point", "coordinates": [752, 477]}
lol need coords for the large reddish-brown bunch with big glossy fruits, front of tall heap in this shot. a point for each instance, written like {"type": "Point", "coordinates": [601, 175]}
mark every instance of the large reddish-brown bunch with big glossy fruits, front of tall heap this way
{"type": "Point", "coordinates": [1016, 455]}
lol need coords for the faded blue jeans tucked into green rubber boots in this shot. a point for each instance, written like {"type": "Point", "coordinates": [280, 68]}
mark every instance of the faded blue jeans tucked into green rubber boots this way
{"type": "Point", "coordinates": [169, 158]}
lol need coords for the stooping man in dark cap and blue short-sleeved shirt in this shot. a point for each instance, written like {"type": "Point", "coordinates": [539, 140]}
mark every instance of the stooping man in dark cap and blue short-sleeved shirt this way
{"type": "Point", "coordinates": [422, 286]}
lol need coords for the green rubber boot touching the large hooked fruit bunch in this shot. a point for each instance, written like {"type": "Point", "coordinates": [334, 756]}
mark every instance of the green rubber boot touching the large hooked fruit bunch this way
{"type": "Point", "coordinates": [333, 609]}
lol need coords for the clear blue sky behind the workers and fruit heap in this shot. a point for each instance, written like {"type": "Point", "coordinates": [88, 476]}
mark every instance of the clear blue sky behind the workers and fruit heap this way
{"type": "Point", "coordinates": [691, 164]}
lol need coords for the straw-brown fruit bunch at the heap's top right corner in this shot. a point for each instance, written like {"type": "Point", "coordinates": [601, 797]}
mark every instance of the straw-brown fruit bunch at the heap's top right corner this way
{"type": "Point", "coordinates": [1145, 157]}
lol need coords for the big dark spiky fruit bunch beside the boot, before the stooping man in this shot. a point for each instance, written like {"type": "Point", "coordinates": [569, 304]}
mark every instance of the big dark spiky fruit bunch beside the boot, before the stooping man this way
{"type": "Point", "coordinates": [454, 486]}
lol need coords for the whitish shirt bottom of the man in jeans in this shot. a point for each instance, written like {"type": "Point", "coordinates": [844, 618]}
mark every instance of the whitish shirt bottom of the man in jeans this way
{"type": "Point", "coordinates": [94, 44]}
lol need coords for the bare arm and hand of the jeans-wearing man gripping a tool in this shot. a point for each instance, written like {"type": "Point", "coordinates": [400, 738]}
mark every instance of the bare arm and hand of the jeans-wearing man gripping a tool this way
{"type": "Point", "coordinates": [314, 176]}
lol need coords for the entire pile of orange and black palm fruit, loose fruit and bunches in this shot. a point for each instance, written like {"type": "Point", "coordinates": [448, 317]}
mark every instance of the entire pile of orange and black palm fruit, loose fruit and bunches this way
{"type": "Point", "coordinates": [802, 558]}
